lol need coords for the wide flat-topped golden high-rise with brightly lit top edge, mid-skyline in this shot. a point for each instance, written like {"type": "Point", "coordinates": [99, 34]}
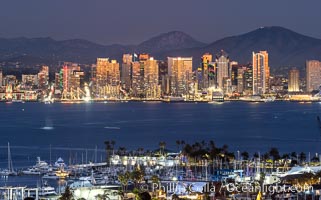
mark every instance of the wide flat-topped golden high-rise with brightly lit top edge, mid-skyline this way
{"type": "Point", "coordinates": [180, 73]}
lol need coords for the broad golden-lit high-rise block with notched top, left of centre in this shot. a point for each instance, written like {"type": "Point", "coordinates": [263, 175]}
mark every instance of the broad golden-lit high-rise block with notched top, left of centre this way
{"type": "Point", "coordinates": [107, 78]}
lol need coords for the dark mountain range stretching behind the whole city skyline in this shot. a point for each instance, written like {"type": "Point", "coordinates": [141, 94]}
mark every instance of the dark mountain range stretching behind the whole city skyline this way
{"type": "Point", "coordinates": [285, 48]}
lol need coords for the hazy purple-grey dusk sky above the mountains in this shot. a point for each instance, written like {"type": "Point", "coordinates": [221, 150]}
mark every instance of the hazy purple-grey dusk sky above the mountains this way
{"type": "Point", "coordinates": [132, 21]}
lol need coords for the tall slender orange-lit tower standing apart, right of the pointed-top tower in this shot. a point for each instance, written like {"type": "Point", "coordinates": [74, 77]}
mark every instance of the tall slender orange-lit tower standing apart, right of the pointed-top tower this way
{"type": "Point", "coordinates": [261, 73]}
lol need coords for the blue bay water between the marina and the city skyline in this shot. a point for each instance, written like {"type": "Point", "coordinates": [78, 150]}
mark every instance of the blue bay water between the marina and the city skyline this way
{"type": "Point", "coordinates": [74, 131]}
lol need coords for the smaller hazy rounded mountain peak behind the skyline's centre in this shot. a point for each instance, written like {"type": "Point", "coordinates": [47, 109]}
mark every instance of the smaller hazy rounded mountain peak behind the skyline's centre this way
{"type": "Point", "coordinates": [169, 41]}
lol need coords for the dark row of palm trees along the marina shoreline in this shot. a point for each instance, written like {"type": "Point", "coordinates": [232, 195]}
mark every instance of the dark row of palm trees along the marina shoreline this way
{"type": "Point", "coordinates": [209, 150]}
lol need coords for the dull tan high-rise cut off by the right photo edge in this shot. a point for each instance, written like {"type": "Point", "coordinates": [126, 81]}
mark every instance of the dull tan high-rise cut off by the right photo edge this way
{"type": "Point", "coordinates": [313, 75]}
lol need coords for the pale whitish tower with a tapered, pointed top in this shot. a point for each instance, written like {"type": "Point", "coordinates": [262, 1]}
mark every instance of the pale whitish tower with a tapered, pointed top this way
{"type": "Point", "coordinates": [222, 63]}
